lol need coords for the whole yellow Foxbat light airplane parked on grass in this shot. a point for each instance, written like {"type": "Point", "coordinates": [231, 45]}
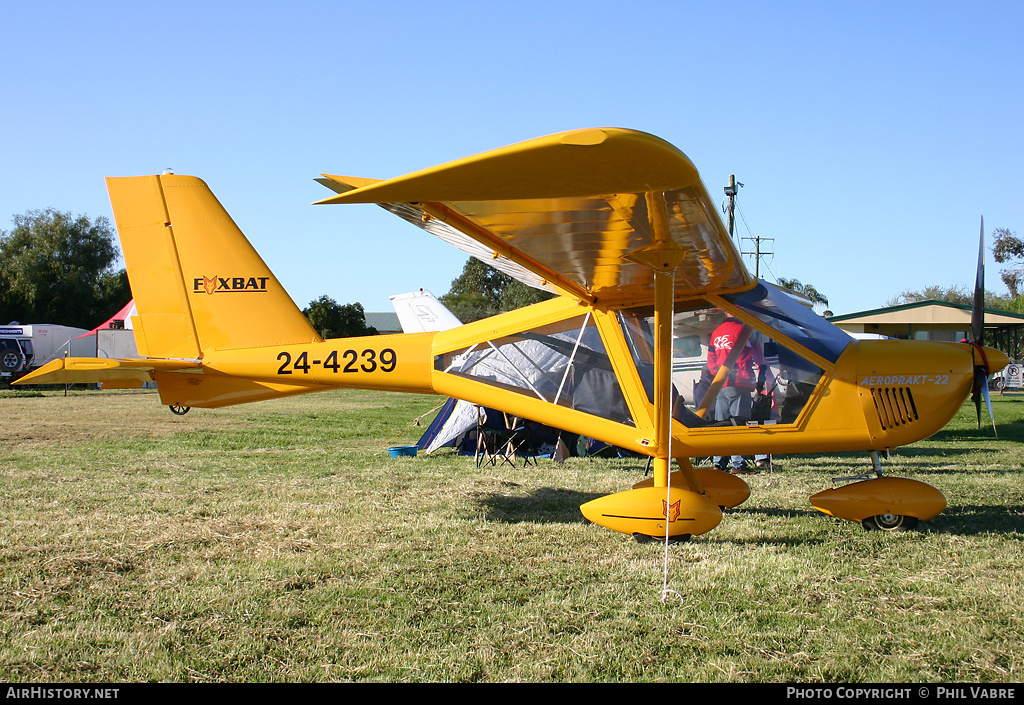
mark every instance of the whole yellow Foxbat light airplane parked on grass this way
{"type": "Point", "coordinates": [619, 224]}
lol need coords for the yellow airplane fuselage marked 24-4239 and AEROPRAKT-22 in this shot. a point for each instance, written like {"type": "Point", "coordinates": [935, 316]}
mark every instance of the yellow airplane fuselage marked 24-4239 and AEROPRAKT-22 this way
{"type": "Point", "coordinates": [876, 395]}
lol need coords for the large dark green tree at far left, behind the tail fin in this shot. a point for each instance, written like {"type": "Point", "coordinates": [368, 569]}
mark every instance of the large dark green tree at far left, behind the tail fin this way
{"type": "Point", "coordinates": [57, 268]}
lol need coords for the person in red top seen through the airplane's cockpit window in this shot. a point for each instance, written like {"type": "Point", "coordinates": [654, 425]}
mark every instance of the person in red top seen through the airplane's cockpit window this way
{"type": "Point", "coordinates": [736, 396]}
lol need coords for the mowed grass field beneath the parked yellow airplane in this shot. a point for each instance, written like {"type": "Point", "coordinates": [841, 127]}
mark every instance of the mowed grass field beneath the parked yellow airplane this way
{"type": "Point", "coordinates": [279, 543]}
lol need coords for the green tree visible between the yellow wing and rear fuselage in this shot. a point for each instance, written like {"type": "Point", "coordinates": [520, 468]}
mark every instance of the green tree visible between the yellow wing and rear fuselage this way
{"type": "Point", "coordinates": [482, 292]}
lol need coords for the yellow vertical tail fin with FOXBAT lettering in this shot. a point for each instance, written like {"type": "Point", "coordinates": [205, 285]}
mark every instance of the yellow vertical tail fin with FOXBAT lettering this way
{"type": "Point", "coordinates": [199, 285]}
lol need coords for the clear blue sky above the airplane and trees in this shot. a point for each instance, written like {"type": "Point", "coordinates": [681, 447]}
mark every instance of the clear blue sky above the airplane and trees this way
{"type": "Point", "coordinates": [870, 137]}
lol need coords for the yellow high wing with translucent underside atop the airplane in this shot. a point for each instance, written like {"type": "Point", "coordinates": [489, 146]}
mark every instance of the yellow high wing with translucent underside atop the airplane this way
{"type": "Point", "coordinates": [573, 213]}
